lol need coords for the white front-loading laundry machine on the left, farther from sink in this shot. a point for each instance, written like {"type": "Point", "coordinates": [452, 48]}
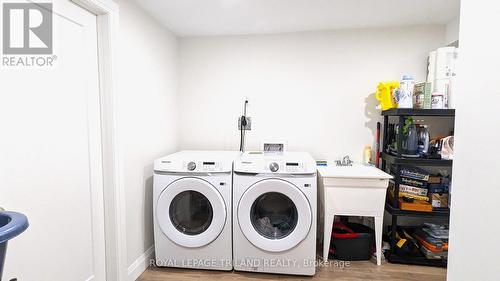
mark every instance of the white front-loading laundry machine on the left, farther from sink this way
{"type": "Point", "coordinates": [192, 209]}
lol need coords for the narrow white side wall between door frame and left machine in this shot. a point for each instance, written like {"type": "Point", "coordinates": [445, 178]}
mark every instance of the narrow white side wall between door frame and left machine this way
{"type": "Point", "coordinates": [147, 108]}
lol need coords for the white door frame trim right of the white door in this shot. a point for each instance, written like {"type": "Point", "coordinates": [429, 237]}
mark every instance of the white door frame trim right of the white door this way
{"type": "Point", "coordinates": [107, 13]}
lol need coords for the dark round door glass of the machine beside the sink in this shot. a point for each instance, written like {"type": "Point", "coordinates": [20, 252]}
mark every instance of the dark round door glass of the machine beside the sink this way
{"type": "Point", "coordinates": [274, 215]}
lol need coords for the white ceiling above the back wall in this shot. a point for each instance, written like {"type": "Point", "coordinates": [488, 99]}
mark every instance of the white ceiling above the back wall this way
{"type": "Point", "coordinates": [232, 17]}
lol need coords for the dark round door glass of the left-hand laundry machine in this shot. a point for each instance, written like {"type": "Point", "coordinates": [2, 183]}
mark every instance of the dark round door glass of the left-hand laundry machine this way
{"type": "Point", "coordinates": [191, 212]}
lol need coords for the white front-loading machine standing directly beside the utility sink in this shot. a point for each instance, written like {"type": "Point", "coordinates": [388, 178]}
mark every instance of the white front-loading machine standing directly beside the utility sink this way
{"type": "Point", "coordinates": [274, 213]}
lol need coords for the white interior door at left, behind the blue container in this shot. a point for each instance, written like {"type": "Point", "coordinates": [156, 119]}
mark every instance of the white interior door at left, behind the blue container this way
{"type": "Point", "coordinates": [50, 157]}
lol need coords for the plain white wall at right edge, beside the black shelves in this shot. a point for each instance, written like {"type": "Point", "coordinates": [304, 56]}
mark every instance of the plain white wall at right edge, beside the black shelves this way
{"type": "Point", "coordinates": [473, 256]}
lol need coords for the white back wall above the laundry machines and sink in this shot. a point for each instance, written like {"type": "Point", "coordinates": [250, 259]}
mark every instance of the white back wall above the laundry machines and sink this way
{"type": "Point", "coordinates": [312, 89]}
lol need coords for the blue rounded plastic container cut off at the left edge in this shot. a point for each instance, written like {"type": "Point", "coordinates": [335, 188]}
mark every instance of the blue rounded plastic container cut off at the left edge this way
{"type": "Point", "coordinates": [11, 225]}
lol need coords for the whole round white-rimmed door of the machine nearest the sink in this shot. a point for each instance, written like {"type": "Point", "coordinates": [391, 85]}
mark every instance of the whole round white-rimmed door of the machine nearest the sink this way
{"type": "Point", "coordinates": [274, 215]}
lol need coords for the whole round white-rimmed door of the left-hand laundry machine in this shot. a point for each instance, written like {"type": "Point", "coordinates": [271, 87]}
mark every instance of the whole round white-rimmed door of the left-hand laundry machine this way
{"type": "Point", "coordinates": [191, 212]}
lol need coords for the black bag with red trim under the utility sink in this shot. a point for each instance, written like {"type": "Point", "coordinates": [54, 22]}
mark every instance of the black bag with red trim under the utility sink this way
{"type": "Point", "coordinates": [352, 242]}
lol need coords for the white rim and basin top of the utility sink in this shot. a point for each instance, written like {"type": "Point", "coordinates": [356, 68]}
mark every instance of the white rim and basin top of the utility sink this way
{"type": "Point", "coordinates": [356, 171]}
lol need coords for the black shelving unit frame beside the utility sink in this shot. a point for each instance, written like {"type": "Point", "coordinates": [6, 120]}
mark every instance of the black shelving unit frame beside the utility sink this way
{"type": "Point", "coordinates": [398, 160]}
